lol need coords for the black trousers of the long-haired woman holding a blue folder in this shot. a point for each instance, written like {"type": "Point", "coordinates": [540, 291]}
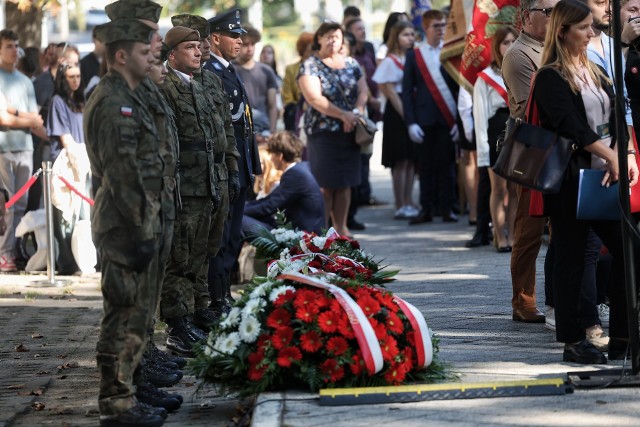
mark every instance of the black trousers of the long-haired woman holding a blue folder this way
{"type": "Point", "coordinates": [570, 237]}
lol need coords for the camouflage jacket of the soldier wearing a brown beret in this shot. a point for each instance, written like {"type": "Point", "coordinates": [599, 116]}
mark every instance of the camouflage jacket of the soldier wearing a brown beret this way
{"type": "Point", "coordinates": [199, 136]}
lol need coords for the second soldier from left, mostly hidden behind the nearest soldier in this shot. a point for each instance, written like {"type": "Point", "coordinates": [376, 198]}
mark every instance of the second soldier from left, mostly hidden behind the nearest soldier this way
{"type": "Point", "coordinates": [153, 370]}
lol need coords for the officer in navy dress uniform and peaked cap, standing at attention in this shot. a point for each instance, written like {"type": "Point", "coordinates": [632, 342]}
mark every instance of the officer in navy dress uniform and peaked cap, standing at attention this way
{"type": "Point", "coordinates": [225, 46]}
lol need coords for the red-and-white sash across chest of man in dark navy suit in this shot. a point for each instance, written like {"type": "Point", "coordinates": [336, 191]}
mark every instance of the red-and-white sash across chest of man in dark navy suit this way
{"type": "Point", "coordinates": [430, 69]}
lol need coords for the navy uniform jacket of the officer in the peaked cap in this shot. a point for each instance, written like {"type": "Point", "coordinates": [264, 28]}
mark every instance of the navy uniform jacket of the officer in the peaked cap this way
{"type": "Point", "coordinates": [249, 162]}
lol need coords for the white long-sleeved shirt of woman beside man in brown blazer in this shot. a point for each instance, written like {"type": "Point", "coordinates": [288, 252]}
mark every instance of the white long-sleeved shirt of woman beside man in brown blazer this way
{"type": "Point", "coordinates": [486, 101]}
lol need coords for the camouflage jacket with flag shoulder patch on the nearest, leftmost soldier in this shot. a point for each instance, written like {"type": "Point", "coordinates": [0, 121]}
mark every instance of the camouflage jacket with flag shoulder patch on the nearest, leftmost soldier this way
{"type": "Point", "coordinates": [124, 150]}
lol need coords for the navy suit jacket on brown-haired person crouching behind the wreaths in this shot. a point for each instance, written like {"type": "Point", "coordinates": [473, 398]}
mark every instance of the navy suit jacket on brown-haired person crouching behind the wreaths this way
{"type": "Point", "coordinates": [298, 195]}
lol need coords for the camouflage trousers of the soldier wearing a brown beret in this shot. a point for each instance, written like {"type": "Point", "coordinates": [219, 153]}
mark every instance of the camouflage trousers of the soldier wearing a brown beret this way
{"type": "Point", "coordinates": [189, 251]}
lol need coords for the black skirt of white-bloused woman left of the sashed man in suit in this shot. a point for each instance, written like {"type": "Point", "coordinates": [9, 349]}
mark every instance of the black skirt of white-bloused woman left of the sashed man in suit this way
{"type": "Point", "coordinates": [396, 144]}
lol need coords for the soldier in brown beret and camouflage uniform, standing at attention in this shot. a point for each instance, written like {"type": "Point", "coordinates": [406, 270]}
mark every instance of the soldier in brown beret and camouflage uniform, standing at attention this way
{"type": "Point", "coordinates": [199, 135]}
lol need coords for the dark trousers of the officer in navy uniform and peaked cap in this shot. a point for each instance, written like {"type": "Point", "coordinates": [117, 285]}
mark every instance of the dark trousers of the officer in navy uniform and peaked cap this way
{"type": "Point", "coordinates": [221, 265]}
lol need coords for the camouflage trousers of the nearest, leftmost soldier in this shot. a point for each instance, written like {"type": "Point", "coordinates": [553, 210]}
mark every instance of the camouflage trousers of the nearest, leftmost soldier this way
{"type": "Point", "coordinates": [130, 299]}
